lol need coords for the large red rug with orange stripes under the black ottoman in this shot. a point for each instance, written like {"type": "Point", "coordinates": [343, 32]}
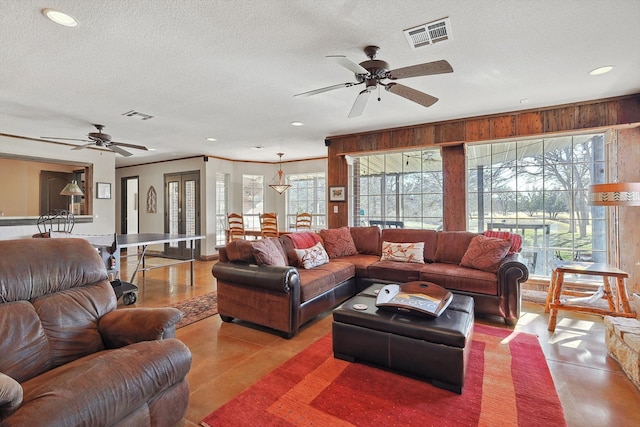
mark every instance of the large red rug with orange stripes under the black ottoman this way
{"type": "Point", "coordinates": [508, 384]}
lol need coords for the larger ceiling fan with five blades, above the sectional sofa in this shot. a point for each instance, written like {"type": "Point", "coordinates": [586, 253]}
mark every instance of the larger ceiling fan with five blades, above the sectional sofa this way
{"type": "Point", "coordinates": [374, 71]}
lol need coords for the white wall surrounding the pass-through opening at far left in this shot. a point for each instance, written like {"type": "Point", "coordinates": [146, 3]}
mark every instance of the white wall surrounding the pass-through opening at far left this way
{"type": "Point", "coordinates": [103, 171]}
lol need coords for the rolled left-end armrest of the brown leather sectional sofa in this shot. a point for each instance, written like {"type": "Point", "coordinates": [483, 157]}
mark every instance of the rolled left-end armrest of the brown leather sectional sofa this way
{"type": "Point", "coordinates": [275, 279]}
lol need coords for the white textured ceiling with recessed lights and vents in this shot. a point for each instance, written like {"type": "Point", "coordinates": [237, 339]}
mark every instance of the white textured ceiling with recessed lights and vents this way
{"type": "Point", "coordinates": [229, 69]}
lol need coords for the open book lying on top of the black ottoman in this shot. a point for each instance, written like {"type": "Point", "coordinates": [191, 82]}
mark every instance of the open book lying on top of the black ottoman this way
{"type": "Point", "coordinates": [419, 298]}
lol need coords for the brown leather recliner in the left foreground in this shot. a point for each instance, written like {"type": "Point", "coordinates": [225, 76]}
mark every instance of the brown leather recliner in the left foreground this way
{"type": "Point", "coordinates": [69, 357]}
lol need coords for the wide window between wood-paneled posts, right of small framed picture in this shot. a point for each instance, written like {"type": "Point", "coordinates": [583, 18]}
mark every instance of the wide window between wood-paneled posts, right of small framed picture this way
{"type": "Point", "coordinates": [403, 189]}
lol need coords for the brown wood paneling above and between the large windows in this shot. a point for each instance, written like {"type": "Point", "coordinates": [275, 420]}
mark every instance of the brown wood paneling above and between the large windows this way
{"type": "Point", "coordinates": [611, 113]}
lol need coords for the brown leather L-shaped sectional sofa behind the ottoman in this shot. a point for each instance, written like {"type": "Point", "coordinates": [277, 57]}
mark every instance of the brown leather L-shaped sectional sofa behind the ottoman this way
{"type": "Point", "coordinates": [284, 298]}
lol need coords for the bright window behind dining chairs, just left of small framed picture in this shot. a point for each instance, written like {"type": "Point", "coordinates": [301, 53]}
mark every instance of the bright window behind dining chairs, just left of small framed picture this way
{"type": "Point", "coordinates": [307, 194]}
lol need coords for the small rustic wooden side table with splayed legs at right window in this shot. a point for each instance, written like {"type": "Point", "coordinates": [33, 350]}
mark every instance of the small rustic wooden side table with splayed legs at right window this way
{"type": "Point", "coordinates": [618, 303]}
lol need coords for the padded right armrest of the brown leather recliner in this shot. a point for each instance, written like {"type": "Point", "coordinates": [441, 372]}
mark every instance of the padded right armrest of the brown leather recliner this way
{"type": "Point", "coordinates": [122, 327]}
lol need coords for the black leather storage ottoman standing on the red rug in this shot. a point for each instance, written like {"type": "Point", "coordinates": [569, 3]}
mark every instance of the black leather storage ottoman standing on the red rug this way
{"type": "Point", "coordinates": [433, 349]}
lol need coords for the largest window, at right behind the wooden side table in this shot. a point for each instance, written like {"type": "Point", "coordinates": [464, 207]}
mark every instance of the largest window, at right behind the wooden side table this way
{"type": "Point", "coordinates": [539, 188]}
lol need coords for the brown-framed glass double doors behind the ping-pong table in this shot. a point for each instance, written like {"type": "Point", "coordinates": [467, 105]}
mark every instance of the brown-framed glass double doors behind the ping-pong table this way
{"type": "Point", "coordinates": [182, 211]}
